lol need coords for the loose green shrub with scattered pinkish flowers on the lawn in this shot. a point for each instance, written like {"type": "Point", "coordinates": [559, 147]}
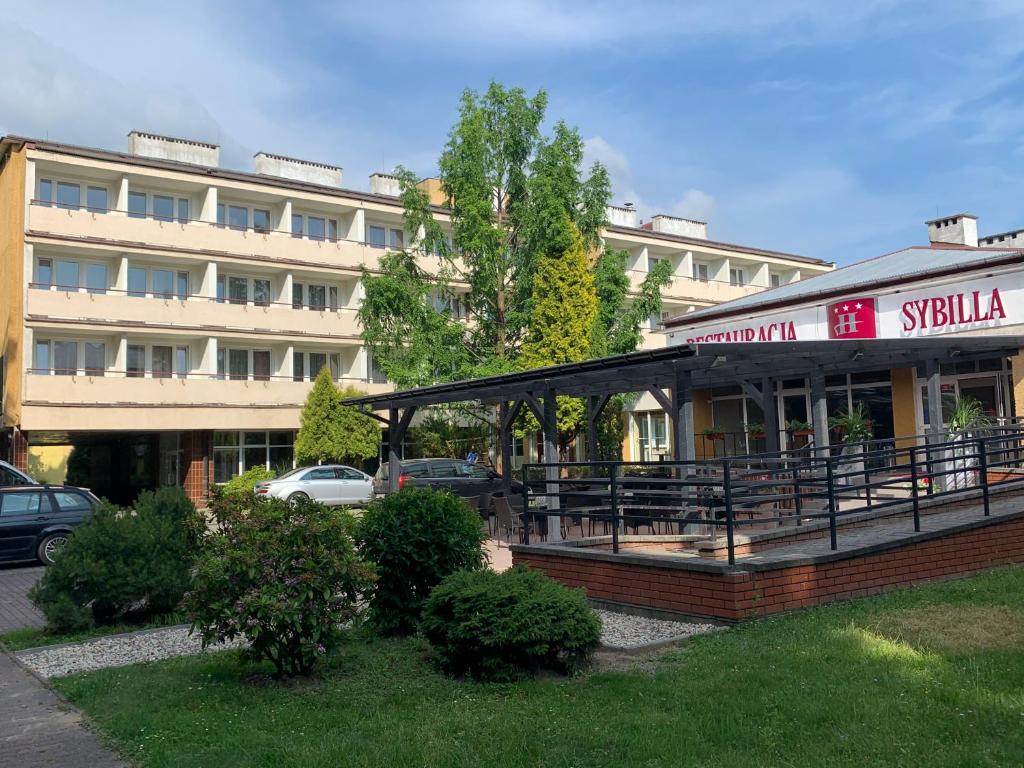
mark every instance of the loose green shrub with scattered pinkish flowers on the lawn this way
{"type": "Point", "coordinates": [286, 577]}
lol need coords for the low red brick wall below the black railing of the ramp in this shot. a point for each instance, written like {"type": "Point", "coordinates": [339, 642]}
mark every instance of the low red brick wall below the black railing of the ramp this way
{"type": "Point", "coordinates": [739, 595]}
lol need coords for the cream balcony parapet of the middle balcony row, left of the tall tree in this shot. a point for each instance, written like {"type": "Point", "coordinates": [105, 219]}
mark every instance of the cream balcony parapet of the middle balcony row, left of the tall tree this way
{"type": "Point", "coordinates": [190, 314]}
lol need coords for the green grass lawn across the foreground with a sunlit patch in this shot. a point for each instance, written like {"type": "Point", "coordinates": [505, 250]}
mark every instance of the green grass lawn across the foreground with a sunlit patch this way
{"type": "Point", "coordinates": [926, 677]}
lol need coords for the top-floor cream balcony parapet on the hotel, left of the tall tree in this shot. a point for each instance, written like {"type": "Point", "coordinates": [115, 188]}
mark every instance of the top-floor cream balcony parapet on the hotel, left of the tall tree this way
{"type": "Point", "coordinates": [200, 237]}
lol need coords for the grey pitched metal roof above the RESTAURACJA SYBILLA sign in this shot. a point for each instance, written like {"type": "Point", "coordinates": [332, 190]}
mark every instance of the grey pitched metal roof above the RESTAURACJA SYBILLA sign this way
{"type": "Point", "coordinates": [910, 264]}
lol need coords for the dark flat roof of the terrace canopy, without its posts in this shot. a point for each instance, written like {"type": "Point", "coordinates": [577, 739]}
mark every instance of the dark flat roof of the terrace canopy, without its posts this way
{"type": "Point", "coordinates": [708, 364]}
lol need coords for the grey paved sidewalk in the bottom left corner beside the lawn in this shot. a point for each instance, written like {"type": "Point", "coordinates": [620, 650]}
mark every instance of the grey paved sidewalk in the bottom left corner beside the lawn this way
{"type": "Point", "coordinates": [40, 731]}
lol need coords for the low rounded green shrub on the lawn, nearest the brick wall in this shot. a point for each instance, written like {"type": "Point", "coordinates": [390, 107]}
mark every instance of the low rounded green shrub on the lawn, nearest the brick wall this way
{"type": "Point", "coordinates": [502, 627]}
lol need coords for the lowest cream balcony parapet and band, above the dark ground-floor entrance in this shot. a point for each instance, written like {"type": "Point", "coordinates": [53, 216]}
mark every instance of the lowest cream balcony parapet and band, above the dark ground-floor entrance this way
{"type": "Point", "coordinates": [197, 402]}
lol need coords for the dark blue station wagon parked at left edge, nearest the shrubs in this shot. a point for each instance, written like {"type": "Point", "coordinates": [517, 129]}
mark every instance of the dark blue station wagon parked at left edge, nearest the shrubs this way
{"type": "Point", "coordinates": [36, 521]}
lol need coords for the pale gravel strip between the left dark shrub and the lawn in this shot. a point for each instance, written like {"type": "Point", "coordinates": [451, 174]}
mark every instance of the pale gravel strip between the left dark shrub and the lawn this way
{"type": "Point", "coordinates": [116, 651]}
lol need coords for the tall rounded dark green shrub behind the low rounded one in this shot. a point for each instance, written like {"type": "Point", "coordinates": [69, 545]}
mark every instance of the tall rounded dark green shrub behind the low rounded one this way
{"type": "Point", "coordinates": [416, 538]}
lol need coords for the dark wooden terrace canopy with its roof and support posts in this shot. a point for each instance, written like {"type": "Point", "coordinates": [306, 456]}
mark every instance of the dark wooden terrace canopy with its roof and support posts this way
{"type": "Point", "coordinates": [680, 370]}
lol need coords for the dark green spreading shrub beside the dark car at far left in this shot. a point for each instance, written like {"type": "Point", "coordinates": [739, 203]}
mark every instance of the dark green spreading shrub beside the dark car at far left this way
{"type": "Point", "coordinates": [123, 565]}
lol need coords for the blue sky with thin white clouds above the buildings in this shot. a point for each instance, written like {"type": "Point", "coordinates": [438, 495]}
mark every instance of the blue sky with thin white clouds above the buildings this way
{"type": "Point", "coordinates": [827, 130]}
